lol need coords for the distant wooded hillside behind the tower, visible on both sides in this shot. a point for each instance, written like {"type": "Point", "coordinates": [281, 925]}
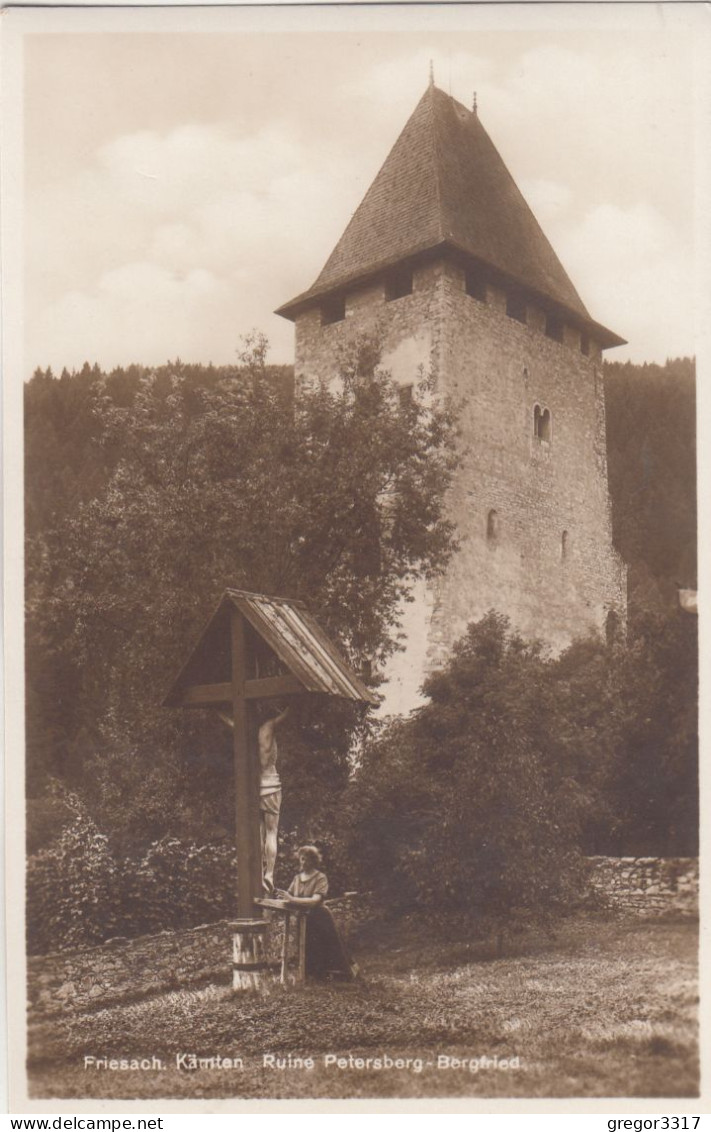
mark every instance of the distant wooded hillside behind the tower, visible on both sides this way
{"type": "Point", "coordinates": [652, 434]}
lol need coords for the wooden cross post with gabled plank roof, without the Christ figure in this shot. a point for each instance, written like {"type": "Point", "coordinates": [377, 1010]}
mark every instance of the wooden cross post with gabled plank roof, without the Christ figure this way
{"type": "Point", "coordinates": [255, 648]}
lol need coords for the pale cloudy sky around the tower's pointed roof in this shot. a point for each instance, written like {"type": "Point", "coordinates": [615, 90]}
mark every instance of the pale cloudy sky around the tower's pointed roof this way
{"type": "Point", "coordinates": [182, 185]}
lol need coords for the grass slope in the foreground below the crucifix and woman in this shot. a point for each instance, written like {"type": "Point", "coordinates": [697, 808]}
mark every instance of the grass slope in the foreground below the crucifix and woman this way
{"type": "Point", "coordinates": [606, 1009]}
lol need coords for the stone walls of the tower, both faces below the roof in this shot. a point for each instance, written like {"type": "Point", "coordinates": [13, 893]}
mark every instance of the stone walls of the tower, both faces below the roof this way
{"type": "Point", "coordinates": [551, 567]}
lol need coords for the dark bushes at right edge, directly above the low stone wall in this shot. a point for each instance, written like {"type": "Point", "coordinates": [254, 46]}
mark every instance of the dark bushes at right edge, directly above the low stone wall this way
{"type": "Point", "coordinates": [628, 715]}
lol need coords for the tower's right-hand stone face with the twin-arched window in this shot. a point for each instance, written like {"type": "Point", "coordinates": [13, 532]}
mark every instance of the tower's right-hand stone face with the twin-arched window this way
{"type": "Point", "coordinates": [551, 567]}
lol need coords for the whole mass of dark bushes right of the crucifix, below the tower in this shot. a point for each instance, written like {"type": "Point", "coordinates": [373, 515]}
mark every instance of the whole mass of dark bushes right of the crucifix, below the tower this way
{"type": "Point", "coordinates": [485, 801]}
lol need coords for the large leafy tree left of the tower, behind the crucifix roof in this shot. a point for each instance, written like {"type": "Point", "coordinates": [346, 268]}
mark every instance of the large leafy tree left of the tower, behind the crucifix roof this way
{"type": "Point", "coordinates": [335, 498]}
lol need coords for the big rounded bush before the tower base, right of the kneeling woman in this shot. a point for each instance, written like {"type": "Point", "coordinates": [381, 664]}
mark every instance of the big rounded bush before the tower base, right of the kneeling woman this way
{"type": "Point", "coordinates": [473, 805]}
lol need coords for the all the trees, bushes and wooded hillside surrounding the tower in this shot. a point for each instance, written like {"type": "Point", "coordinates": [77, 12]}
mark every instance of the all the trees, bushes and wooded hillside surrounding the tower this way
{"type": "Point", "coordinates": [149, 492]}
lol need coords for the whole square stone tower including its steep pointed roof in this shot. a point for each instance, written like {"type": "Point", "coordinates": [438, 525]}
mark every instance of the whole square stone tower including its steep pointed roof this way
{"type": "Point", "coordinates": [446, 261]}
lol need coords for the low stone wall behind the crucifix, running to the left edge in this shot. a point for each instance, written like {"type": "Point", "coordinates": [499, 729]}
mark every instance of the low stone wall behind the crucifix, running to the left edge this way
{"type": "Point", "coordinates": [122, 971]}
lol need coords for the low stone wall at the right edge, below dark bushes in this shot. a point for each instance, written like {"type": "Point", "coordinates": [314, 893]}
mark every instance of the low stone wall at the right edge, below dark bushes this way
{"type": "Point", "coordinates": [648, 886]}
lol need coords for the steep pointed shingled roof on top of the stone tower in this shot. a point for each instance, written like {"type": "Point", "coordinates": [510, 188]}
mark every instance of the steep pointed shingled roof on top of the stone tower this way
{"type": "Point", "coordinates": [444, 185]}
